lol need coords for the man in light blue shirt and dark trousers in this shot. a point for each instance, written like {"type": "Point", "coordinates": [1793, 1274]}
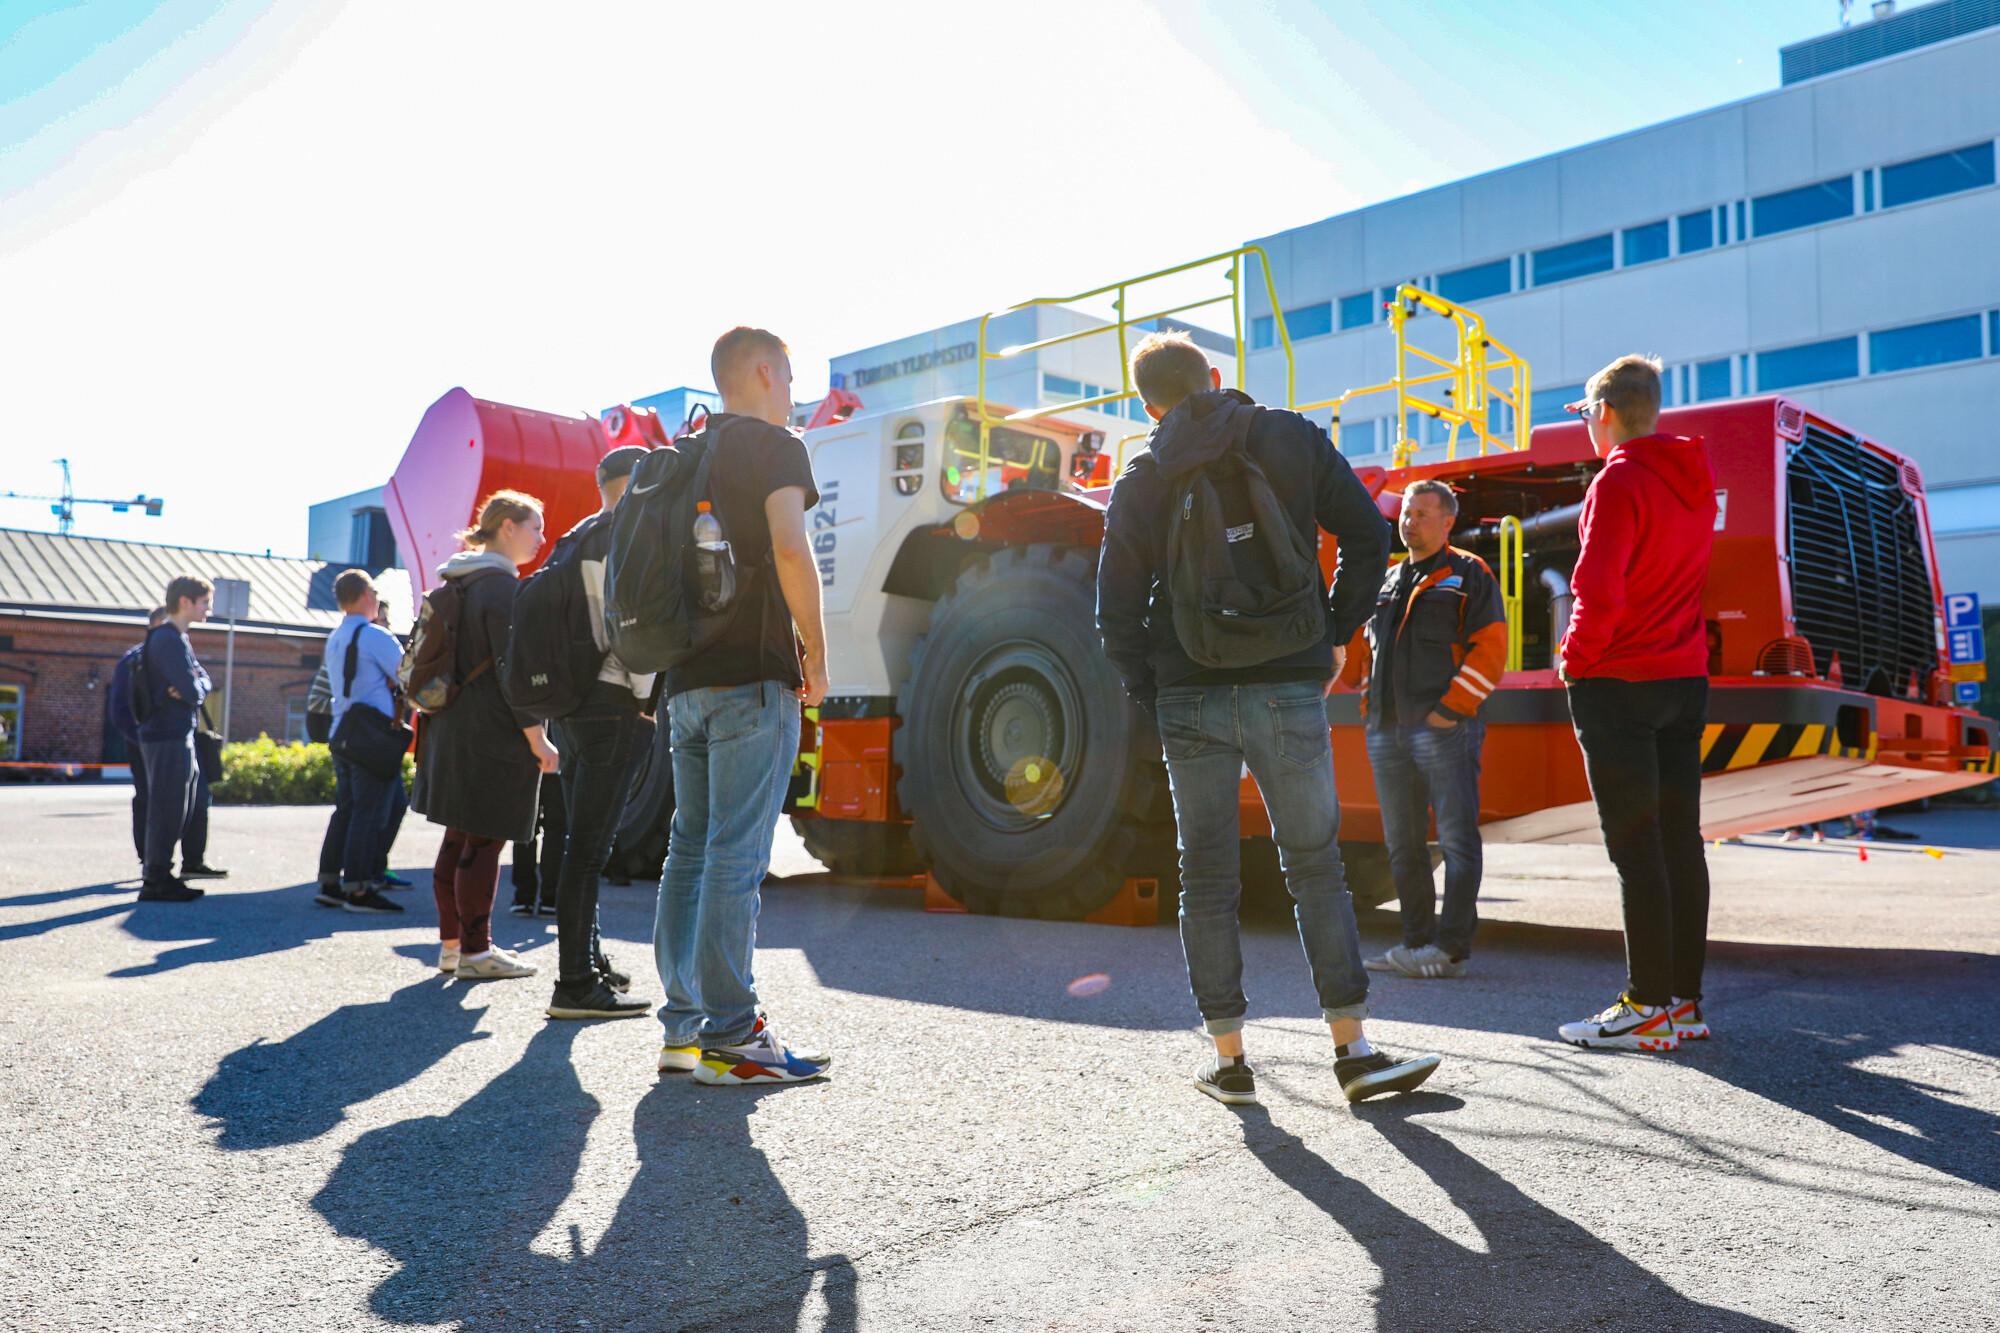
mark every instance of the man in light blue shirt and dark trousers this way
{"type": "Point", "coordinates": [361, 668]}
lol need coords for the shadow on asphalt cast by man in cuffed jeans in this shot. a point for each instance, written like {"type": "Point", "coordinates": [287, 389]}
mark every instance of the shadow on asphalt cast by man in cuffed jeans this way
{"type": "Point", "coordinates": [1539, 1272]}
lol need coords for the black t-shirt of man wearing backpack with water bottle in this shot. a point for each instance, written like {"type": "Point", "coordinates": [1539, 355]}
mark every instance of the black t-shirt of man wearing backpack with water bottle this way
{"type": "Point", "coordinates": [753, 461]}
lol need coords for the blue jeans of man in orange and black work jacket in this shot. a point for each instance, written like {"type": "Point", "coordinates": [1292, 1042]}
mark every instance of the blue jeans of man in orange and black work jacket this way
{"type": "Point", "coordinates": [1421, 770]}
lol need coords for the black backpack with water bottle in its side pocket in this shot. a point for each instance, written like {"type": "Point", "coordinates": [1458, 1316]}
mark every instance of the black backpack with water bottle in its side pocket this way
{"type": "Point", "coordinates": [665, 601]}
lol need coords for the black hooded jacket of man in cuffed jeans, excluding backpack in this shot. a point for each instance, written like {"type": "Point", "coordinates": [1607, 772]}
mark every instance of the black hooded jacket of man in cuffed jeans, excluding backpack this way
{"type": "Point", "coordinates": [1319, 487]}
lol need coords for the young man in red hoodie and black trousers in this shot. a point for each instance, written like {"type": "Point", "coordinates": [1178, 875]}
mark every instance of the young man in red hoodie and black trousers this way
{"type": "Point", "coordinates": [1637, 663]}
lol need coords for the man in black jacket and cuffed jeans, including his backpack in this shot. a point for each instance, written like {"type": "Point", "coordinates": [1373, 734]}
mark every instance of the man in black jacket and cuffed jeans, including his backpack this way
{"type": "Point", "coordinates": [1213, 609]}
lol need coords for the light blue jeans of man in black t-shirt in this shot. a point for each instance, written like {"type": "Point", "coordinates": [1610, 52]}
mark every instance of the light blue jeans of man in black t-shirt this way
{"type": "Point", "coordinates": [733, 762]}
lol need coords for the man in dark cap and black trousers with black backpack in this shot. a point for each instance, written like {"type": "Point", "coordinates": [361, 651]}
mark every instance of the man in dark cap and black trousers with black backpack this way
{"type": "Point", "coordinates": [561, 668]}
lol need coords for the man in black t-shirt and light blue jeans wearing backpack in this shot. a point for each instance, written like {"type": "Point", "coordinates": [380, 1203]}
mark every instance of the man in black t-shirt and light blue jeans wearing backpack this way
{"type": "Point", "coordinates": [713, 581]}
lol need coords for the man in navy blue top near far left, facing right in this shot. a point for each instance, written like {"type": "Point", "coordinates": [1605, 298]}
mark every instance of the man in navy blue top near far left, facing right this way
{"type": "Point", "coordinates": [175, 690]}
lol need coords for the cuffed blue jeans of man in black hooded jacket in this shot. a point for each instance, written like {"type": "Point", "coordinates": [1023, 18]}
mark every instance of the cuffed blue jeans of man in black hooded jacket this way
{"type": "Point", "coordinates": [1211, 734]}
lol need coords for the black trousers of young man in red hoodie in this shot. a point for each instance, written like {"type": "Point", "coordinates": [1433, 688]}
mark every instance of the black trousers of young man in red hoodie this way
{"type": "Point", "coordinates": [1643, 754]}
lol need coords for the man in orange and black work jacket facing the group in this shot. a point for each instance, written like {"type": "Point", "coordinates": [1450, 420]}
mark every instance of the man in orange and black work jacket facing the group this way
{"type": "Point", "coordinates": [1433, 653]}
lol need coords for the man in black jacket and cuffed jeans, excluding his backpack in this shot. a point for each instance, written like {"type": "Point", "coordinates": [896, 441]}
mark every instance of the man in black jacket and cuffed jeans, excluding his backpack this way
{"type": "Point", "coordinates": [1269, 720]}
